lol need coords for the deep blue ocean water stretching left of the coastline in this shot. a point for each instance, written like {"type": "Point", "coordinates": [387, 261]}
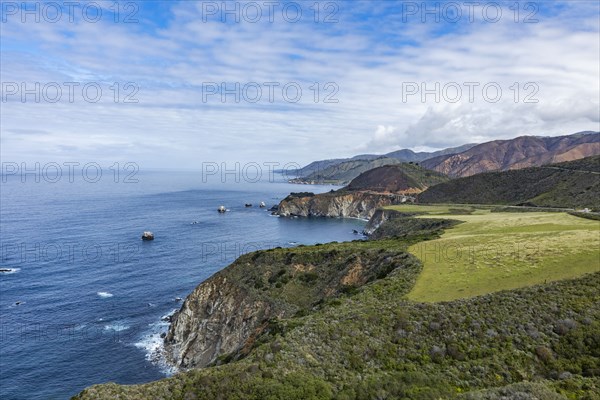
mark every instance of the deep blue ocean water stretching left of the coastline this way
{"type": "Point", "coordinates": [84, 301]}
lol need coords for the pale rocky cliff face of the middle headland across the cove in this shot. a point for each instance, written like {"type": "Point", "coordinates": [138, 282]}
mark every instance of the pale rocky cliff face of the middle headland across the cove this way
{"type": "Point", "coordinates": [337, 204]}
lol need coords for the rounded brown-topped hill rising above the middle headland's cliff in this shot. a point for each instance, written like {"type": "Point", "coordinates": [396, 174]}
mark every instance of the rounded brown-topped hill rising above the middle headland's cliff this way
{"type": "Point", "coordinates": [400, 178]}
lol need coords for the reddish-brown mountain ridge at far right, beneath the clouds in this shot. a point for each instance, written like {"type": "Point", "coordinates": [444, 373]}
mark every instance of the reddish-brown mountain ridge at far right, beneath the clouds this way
{"type": "Point", "coordinates": [522, 152]}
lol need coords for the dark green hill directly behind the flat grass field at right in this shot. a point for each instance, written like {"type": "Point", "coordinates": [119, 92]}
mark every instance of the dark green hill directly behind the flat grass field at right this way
{"type": "Point", "coordinates": [574, 184]}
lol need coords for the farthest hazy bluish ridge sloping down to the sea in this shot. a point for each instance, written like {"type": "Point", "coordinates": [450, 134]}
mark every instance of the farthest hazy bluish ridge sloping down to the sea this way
{"type": "Point", "coordinates": [324, 169]}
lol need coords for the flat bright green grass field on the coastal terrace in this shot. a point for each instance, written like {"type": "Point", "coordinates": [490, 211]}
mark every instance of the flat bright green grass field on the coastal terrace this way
{"type": "Point", "coordinates": [495, 251]}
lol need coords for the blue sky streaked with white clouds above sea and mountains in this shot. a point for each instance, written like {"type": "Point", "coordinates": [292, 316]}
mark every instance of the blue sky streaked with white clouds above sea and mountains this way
{"type": "Point", "coordinates": [174, 84]}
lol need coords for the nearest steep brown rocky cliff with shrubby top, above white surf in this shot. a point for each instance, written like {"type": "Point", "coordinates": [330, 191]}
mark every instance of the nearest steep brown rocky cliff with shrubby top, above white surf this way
{"type": "Point", "coordinates": [225, 315]}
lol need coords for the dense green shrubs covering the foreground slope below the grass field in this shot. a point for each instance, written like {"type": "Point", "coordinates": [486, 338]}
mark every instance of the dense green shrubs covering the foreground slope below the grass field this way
{"type": "Point", "coordinates": [375, 344]}
